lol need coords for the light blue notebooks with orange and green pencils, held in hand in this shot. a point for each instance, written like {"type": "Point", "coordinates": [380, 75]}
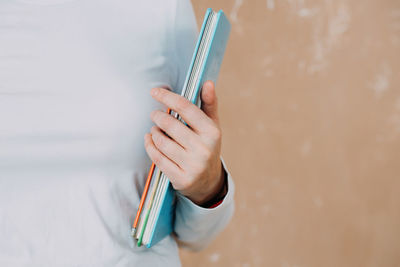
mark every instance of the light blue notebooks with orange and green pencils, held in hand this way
{"type": "Point", "coordinates": [156, 213]}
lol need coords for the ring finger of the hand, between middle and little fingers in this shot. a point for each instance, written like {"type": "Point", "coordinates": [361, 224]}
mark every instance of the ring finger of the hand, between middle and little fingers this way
{"type": "Point", "coordinates": [167, 146]}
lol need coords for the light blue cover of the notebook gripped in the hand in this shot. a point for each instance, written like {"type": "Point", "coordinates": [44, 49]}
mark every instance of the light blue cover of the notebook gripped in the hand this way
{"type": "Point", "coordinates": [164, 224]}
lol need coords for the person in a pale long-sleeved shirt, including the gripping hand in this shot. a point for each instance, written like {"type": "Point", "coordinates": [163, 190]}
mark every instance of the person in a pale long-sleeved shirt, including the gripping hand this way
{"type": "Point", "coordinates": [76, 99]}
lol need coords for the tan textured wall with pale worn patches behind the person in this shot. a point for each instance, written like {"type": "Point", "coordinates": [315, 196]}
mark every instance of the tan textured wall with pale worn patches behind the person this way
{"type": "Point", "coordinates": [310, 105]}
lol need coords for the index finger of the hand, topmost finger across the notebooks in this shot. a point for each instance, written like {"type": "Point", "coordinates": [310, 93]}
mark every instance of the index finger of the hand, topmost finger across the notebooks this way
{"type": "Point", "coordinates": [191, 114]}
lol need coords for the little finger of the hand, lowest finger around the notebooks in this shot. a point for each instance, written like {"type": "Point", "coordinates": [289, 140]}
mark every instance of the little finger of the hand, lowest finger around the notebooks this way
{"type": "Point", "coordinates": [166, 165]}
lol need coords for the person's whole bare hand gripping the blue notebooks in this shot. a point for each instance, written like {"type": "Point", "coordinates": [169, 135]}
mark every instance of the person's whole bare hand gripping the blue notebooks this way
{"type": "Point", "coordinates": [189, 156]}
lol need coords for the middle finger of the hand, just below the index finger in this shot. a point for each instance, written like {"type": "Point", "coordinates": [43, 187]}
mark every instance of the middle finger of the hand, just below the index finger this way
{"type": "Point", "coordinates": [174, 128]}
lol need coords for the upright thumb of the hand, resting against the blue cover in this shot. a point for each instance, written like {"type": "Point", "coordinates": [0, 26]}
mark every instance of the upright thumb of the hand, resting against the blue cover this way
{"type": "Point", "coordinates": [209, 100]}
